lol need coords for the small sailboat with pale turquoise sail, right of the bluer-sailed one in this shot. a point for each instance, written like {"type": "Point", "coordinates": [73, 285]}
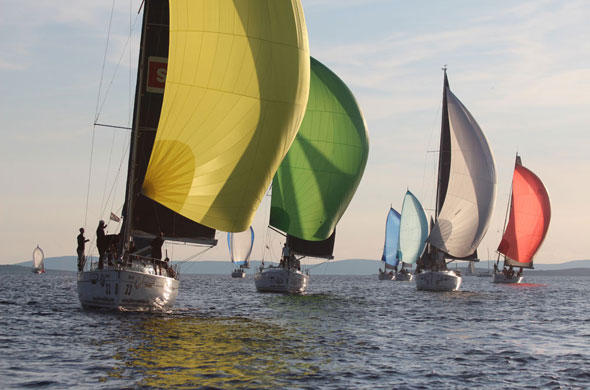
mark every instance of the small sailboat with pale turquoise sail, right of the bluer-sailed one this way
{"type": "Point", "coordinates": [412, 235]}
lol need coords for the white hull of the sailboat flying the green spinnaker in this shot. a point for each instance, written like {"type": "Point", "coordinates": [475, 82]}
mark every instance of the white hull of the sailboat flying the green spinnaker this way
{"type": "Point", "coordinates": [281, 280]}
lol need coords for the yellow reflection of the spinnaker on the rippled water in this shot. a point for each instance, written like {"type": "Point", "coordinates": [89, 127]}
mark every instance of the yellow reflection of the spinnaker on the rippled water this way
{"type": "Point", "coordinates": [217, 352]}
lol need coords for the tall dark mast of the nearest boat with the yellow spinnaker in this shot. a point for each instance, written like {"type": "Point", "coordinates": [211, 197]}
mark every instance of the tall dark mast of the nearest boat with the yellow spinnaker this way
{"type": "Point", "coordinates": [131, 175]}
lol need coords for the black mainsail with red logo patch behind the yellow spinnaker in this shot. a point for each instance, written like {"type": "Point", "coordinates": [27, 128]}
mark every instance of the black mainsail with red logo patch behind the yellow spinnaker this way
{"type": "Point", "coordinates": [147, 217]}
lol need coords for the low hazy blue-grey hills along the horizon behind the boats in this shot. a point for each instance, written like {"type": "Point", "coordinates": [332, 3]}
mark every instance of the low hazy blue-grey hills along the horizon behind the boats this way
{"type": "Point", "coordinates": [340, 267]}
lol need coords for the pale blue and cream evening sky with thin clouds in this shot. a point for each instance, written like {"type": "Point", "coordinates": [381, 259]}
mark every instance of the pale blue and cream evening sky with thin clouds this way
{"type": "Point", "coordinates": [522, 68]}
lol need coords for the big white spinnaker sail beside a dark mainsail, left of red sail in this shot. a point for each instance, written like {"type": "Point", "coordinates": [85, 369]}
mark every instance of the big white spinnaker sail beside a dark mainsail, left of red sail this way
{"type": "Point", "coordinates": [464, 217]}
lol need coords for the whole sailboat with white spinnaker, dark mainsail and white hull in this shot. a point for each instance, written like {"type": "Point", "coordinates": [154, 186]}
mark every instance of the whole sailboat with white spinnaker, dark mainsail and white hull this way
{"type": "Point", "coordinates": [466, 193]}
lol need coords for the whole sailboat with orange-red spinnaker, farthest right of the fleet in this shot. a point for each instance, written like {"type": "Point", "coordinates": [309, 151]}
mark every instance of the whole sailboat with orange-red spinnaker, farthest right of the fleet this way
{"type": "Point", "coordinates": [530, 214]}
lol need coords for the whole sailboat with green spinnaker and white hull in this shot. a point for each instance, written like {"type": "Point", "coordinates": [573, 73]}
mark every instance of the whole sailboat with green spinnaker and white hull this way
{"type": "Point", "coordinates": [316, 181]}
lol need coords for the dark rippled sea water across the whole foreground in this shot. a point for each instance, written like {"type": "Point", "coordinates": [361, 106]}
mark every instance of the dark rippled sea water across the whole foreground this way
{"type": "Point", "coordinates": [347, 332]}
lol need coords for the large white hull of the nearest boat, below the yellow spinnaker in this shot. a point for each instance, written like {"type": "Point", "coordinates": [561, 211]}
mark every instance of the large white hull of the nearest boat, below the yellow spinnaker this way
{"type": "Point", "coordinates": [126, 290]}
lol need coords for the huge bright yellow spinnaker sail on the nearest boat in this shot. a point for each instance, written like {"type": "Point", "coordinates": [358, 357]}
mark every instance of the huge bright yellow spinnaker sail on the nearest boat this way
{"type": "Point", "coordinates": [235, 95]}
